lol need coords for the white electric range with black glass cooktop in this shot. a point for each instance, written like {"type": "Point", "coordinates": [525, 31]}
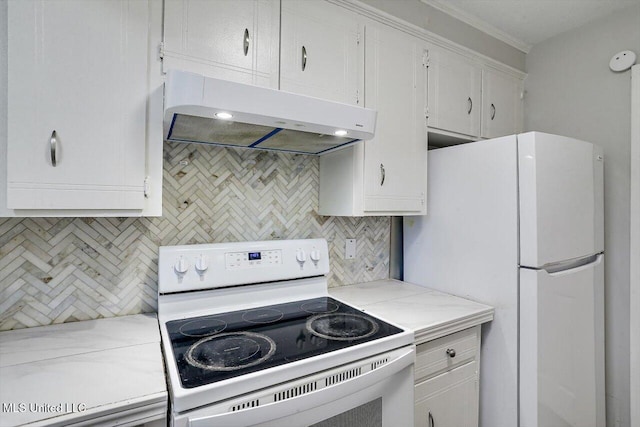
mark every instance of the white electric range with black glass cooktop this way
{"type": "Point", "coordinates": [251, 338]}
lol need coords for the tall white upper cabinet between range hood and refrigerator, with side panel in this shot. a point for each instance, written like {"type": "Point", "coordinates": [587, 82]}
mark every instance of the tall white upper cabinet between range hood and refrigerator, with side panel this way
{"type": "Point", "coordinates": [388, 174]}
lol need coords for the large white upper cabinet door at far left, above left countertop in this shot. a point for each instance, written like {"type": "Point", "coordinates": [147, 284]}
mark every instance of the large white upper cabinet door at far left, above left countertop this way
{"type": "Point", "coordinates": [80, 69]}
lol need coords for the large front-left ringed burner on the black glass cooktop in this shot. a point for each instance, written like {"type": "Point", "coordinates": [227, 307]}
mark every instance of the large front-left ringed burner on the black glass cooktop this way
{"type": "Point", "coordinates": [230, 351]}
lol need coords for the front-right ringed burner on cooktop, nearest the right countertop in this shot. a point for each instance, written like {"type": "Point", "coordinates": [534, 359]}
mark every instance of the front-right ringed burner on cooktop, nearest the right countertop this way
{"type": "Point", "coordinates": [341, 326]}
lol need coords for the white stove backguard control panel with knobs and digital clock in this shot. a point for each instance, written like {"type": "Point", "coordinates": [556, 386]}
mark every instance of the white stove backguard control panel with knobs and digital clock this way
{"type": "Point", "coordinates": [198, 267]}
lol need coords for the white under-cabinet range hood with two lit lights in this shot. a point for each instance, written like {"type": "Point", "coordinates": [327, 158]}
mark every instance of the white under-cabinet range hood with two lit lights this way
{"type": "Point", "coordinates": [205, 110]}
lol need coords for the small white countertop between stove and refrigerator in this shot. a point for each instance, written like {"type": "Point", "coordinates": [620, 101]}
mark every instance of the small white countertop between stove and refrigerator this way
{"type": "Point", "coordinates": [430, 314]}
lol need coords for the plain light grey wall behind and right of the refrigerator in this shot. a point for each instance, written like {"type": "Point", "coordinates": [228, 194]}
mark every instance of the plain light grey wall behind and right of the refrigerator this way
{"type": "Point", "coordinates": [572, 92]}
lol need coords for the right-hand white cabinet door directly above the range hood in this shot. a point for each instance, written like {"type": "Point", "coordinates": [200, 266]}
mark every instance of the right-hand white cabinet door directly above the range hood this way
{"type": "Point", "coordinates": [321, 53]}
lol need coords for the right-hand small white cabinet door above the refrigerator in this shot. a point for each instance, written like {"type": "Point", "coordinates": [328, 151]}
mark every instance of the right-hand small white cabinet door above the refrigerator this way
{"type": "Point", "coordinates": [501, 104]}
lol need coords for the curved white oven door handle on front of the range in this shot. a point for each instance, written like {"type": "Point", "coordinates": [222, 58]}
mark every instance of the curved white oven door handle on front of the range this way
{"type": "Point", "coordinates": [284, 408]}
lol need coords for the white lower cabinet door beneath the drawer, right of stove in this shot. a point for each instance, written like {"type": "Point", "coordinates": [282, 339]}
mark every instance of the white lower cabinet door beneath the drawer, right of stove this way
{"type": "Point", "coordinates": [448, 400]}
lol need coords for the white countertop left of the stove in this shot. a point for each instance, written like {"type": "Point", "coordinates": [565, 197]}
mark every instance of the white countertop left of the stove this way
{"type": "Point", "coordinates": [88, 372]}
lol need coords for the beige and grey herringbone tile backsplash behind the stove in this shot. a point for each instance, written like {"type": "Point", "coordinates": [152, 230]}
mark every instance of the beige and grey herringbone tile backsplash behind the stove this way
{"type": "Point", "coordinates": [55, 270]}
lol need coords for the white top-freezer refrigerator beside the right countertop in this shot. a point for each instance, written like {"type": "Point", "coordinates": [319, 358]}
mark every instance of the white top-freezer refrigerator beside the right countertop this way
{"type": "Point", "coordinates": [517, 223]}
